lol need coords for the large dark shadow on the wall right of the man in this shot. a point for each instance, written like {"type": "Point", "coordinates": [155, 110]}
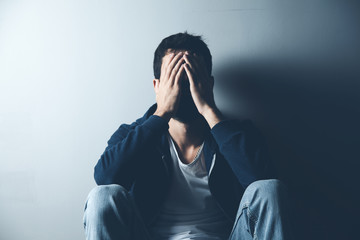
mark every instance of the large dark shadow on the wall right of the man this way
{"type": "Point", "coordinates": [310, 114]}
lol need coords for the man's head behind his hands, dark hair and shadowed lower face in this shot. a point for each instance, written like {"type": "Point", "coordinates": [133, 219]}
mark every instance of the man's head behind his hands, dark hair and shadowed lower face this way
{"type": "Point", "coordinates": [187, 111]}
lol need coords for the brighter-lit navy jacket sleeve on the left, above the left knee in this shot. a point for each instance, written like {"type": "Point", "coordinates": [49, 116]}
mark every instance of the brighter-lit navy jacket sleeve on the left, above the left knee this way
{"type": "Point", "coordinates": [118, 162]}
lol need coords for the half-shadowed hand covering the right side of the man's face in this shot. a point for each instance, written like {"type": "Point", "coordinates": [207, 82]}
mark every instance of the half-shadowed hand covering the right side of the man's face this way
{"type": "Point", "coordinates": [201, 88]}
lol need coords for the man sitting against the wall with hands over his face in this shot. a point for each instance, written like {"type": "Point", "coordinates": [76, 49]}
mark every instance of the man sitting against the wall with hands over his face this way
{"type": "Point", "coordinates": [183, 170]}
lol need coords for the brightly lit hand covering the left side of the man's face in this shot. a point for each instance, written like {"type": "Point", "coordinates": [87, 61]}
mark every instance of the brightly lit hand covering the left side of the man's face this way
{"type": "Point", "coordinates": [168, 88]}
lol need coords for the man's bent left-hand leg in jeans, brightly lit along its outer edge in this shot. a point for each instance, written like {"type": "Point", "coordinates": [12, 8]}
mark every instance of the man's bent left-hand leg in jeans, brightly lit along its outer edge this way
{"type": "Point", "coordinates": [111, 213]}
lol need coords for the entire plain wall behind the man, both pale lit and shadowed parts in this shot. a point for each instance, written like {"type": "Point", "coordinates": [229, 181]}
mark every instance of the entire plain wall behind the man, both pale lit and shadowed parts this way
{"type": "Point", "coordinates": [72, 71]}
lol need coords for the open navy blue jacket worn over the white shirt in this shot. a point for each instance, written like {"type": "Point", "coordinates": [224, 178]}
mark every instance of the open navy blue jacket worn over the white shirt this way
{"type": "Point", "coordinates": [138, 158]}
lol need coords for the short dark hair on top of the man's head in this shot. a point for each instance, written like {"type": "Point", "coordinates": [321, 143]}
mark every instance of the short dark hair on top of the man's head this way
{"type": "Point", "coordinates": [181, 41]}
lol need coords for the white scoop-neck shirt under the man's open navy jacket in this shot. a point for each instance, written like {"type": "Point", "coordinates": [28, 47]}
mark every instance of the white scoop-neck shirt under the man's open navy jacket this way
{"type": "Point", "coordinates": [189, 211]}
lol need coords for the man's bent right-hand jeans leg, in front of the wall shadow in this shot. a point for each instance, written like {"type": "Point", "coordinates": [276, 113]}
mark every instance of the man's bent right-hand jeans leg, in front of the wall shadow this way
{"type": "Point", "coordinates": [263, 212]}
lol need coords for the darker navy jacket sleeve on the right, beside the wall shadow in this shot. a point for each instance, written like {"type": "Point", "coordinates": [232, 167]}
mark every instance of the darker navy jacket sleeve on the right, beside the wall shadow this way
{"type": "Point", "coordinates": [244, 148]}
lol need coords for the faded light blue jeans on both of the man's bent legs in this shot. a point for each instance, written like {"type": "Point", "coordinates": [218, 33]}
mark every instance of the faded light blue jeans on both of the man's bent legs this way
{"type": "Point", "coordinates": [263, 213]}
